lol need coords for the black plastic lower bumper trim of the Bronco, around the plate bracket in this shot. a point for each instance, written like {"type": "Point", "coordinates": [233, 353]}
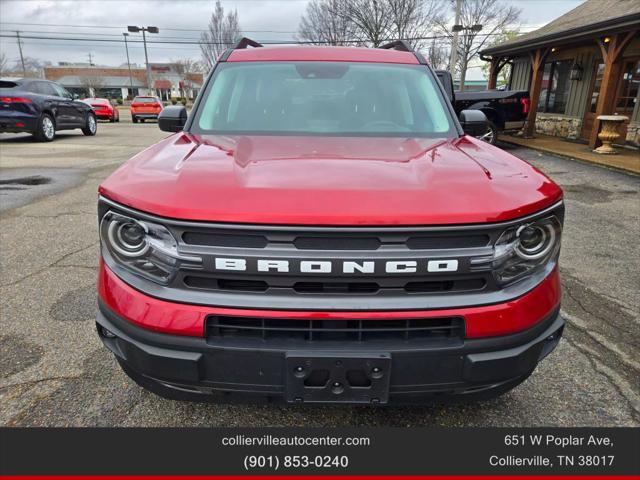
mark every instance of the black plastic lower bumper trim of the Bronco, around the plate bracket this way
{"type": "Point", "coordinates": [205, 370]}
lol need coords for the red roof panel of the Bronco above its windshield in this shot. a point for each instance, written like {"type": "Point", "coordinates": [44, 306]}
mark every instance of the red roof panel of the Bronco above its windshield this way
{"type": "Point", "coordinates": [326, 54]}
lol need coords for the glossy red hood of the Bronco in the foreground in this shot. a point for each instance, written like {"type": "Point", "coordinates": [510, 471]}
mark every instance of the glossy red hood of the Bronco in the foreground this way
{"type": "Point", "coordinates": [305, 180]}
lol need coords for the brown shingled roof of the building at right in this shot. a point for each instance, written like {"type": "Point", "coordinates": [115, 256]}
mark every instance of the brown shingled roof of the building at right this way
{"type": "Point", "coordinates": [584, 21]}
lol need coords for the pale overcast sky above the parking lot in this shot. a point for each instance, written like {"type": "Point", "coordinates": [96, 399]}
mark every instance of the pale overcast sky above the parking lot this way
{"type": "Point", "coordinates": [263, 20]}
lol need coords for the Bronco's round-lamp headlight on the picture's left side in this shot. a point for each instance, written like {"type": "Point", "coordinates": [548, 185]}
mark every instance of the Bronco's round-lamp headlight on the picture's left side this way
{"type": "Point", "coordinates": [145, 248]}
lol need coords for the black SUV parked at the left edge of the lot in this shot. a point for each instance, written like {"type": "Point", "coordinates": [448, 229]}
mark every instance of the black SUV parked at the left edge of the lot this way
{"type": "Point", "coordinates": [42, 107]}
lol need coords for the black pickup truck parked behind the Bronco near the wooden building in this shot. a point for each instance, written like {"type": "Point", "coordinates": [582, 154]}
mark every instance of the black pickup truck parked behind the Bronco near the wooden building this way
{"type": "Point", "coordinates": [506, 110]}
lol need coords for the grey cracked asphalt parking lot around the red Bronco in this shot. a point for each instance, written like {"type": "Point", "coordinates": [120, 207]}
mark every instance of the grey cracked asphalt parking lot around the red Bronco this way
{"type": "Point", "coordinates": [55, 372]}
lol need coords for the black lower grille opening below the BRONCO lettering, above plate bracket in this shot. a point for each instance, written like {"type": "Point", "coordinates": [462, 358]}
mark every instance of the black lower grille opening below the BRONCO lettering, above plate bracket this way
{"type": "Point", "coordinates": [448, 329]}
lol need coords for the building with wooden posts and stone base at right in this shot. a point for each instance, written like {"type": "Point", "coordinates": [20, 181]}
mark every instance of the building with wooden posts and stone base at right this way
{"type": "Point", "coordinates": [583, 64]}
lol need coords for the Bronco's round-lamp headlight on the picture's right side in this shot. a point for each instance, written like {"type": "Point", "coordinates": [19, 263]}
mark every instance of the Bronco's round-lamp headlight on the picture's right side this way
{"type": "Point", "coordinates": [526, 248]}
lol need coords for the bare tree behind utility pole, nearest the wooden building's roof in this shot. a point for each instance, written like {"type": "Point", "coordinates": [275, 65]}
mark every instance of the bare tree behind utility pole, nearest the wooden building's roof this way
{"type": "Point", "coordinates": [493, 15]}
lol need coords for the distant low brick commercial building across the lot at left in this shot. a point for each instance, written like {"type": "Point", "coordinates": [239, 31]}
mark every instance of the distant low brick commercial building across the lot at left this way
{"type": "Point", "coordinates": [121, 82]}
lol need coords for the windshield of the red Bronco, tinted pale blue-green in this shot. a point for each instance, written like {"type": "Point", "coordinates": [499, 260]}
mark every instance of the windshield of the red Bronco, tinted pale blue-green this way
{"type": "Point", "coordinates": [323, 98]}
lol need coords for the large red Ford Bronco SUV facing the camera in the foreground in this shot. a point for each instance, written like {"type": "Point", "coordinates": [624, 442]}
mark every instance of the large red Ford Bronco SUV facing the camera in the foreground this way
{"type": "Point", "coordinates": [323, 229]}
